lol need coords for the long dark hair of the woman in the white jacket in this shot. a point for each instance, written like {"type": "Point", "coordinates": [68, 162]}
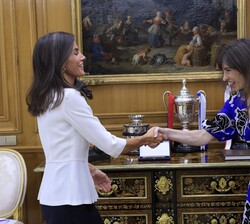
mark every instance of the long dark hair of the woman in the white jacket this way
{"type": "Point", "coordinates": [50, 53]}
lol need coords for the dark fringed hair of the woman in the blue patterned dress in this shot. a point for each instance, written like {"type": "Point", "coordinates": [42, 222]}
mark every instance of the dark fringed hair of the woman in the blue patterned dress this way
{"type": "Point", "coordinates": [237, 56]}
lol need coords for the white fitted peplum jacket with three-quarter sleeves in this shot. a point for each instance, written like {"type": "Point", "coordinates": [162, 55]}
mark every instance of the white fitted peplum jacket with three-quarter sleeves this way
{"type": "Point", "coordinates": [66, 133]}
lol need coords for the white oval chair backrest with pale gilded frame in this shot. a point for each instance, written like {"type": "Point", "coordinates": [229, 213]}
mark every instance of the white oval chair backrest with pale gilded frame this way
{"type": "Point", "coordinates": [13, 183]}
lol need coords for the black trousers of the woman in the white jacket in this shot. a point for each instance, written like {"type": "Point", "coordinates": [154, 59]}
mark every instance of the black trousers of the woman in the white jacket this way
{"type": "Point", "coordinates": [68, 214]}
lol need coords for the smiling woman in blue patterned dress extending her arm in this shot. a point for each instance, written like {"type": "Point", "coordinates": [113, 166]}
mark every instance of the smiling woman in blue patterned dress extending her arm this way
{"type": "Point", "coordinates": [233, 120]}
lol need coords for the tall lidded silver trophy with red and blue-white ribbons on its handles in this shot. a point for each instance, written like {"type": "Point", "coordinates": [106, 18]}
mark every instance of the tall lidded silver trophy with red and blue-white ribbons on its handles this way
{"type": "Point", "coordinates": [185, 110]}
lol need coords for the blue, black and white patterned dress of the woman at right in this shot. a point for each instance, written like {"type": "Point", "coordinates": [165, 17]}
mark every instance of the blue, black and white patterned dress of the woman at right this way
{"type": "Point", "coordinates": [230, 123]}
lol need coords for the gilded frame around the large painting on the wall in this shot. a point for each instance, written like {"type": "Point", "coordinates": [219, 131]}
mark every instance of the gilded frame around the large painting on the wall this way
{"type": "Point", "coordinates": [153, 77]}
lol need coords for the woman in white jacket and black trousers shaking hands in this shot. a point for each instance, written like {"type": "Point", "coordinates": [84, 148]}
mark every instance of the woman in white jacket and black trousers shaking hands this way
{"type": "Point", "coordinates": [67, 127]}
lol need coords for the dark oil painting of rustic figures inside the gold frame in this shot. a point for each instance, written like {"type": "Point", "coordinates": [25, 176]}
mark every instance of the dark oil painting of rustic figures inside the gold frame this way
{"type": "Point", "coordinates": [155, 36]}
